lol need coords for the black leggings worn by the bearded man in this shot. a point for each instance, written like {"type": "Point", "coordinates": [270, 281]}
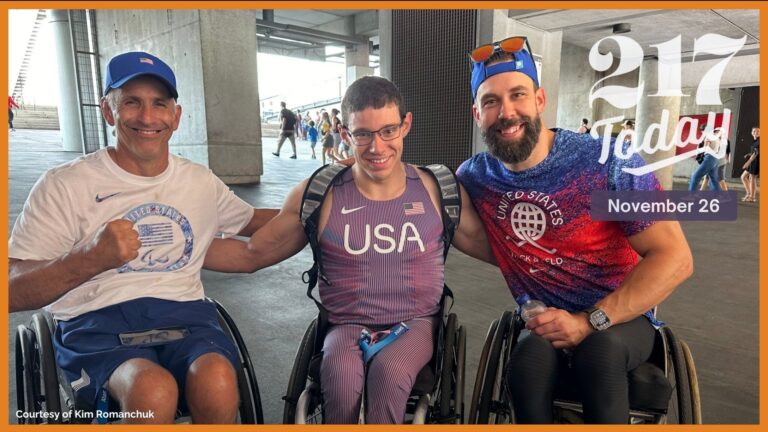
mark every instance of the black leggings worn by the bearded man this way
{"type": "Point", "coordinates": [595, 373]}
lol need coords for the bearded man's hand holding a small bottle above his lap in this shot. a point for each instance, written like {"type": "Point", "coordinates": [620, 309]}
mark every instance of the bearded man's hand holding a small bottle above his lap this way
{"type": "Point", "coordinates": [562, 328]}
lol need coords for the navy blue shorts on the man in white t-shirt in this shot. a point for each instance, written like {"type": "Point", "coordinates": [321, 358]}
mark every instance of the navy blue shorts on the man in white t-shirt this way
{"type": "Point", "coordinates": [88, 347]}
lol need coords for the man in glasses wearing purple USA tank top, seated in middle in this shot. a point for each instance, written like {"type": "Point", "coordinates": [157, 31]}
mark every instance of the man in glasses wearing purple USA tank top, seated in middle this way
{"type": "Point", "coordinates": [380, 233]}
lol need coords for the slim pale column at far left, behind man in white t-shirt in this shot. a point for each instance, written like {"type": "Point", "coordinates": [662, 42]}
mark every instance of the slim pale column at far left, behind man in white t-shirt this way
{"type": "Point", "coordinates": [69, 103]}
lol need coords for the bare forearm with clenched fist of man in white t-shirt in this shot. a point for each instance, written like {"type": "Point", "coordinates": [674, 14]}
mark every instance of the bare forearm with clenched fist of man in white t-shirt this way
{"type": "Point", "coordinates": [34, 284]}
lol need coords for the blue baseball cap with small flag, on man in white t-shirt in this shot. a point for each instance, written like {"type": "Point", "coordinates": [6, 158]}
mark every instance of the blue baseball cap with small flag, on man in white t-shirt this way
{"type": "Point", "coordinates": [125, 67]}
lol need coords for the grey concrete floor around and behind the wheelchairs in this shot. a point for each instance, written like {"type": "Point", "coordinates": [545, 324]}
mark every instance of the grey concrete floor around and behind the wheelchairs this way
{"type": "Point", "coordinates": [715, 311]}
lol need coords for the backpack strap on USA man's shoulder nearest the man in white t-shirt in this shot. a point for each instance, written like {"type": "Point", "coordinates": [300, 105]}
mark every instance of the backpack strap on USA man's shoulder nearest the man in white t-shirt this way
{"type": "Point", "coordinates": [311, 202]}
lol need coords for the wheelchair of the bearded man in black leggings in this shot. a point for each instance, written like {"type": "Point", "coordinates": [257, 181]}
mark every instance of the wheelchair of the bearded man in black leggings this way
{"type": "Point", "coordinates": [670, 369]}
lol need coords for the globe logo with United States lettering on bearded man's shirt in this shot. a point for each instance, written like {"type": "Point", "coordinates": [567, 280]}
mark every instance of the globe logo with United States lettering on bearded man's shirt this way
{"type": "Point", "coordinates": [527, 213]}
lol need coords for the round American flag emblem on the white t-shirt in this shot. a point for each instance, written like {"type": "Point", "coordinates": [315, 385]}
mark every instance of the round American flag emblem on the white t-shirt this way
{"type": "Point", "coordinates": [161, 229]}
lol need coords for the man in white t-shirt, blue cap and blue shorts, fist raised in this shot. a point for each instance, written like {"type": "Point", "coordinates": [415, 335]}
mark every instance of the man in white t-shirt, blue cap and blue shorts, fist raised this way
{"type": "Point", "coordinates": [112, 245]}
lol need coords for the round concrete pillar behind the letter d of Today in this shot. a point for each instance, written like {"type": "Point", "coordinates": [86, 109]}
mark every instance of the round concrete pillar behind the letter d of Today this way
{"type": "Point", "coordinates": [657, 118]}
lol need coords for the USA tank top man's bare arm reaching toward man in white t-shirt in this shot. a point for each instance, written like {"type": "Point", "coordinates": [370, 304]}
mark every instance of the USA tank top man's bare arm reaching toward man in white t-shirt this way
{"type": "Point", "coordinates": [279, 239]}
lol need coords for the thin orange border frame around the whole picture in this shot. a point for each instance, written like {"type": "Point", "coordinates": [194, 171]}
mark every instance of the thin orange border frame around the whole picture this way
{"type": "Point", "coordinates": [762, 6]}
